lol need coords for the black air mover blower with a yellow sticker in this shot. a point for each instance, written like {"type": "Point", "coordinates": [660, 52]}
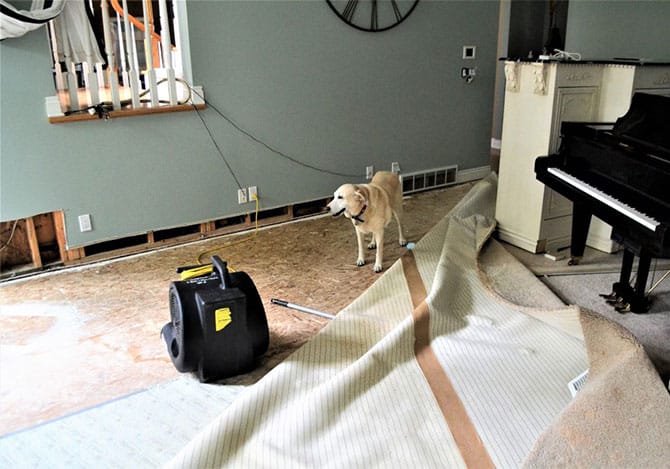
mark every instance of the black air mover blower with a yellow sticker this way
{"type": "Point", "coordinates": [218, 326]}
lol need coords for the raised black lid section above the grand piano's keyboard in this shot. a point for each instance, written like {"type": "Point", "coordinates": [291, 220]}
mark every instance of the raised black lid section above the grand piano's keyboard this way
{"type": "Point", "coordinates": [647, 122]}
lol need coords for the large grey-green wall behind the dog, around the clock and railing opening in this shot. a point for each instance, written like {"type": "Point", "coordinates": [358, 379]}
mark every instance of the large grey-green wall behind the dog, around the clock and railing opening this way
{"type": "Point", "coordinates": [291, 73]}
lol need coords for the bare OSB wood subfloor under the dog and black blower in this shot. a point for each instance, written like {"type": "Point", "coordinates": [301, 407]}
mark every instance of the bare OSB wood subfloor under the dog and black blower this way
{"type": "Point", "coordinates": [80, 337]}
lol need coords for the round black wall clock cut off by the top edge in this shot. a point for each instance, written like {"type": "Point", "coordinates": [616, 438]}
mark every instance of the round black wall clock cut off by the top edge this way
{"type": "Point", "coordinates": [373, 15]}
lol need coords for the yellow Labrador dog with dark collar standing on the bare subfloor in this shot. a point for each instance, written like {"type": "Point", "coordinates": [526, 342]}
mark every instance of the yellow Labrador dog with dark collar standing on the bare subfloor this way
{"type": "Point", "coordinates": [370, 208]}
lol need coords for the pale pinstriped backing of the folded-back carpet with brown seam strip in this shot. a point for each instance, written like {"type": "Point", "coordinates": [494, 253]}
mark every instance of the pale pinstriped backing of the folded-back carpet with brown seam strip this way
{"type": "Point", "coordinates": [356, 395]}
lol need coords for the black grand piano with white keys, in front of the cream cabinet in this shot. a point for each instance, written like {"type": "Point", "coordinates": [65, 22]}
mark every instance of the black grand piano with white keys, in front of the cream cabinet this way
{"type": "Point", "coordinates": [621, 173]}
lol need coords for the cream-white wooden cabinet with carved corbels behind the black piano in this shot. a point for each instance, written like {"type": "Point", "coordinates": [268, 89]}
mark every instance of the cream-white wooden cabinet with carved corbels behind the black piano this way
{"type": "Point", "coordinates": [538, 98]}
